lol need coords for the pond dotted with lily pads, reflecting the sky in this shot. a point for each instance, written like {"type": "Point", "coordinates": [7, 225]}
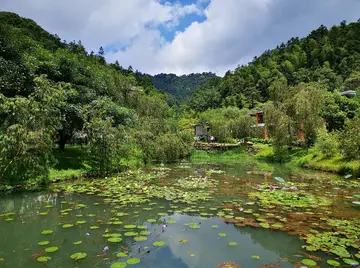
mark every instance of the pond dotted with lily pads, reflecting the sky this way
{"type": "Point", "coordinates": [199, 216]}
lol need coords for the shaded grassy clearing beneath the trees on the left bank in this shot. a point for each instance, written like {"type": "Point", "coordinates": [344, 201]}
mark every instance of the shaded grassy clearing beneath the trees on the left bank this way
{"type": "Point", "coordinates": [70, 163]}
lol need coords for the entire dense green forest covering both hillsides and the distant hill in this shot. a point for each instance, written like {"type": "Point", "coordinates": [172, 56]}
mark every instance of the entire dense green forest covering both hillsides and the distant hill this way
{"type": "Point", "coordinates": [54, 92]}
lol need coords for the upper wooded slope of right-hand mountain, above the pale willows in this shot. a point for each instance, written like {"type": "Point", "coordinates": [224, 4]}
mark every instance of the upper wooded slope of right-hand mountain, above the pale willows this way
{"type": "Point", "coordinates": [328, 56]}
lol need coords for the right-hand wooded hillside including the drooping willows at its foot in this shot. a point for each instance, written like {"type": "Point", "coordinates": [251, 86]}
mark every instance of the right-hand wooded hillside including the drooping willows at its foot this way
{"type": "Point", "coordinates": [298, 86]}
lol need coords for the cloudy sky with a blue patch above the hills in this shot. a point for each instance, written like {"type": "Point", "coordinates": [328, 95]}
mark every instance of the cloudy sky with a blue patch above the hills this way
{"type": "Point", "coordinates": [183, 36]}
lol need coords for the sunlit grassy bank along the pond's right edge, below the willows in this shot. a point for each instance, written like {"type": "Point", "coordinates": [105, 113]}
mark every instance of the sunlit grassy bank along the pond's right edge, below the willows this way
{"type": "Point", "coordinates": [314, 160]}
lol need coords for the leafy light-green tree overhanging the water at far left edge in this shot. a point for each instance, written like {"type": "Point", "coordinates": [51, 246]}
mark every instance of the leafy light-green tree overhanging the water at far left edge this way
{"type": "Point", "coordinates": [27, 127]}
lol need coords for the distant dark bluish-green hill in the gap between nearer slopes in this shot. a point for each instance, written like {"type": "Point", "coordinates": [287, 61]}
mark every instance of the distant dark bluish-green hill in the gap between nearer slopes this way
{"type": "Point", "coordinates": [181, 87]}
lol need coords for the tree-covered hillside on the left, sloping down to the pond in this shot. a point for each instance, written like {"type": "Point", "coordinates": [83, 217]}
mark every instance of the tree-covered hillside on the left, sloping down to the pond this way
{"type": "Point", "coordinates": [54, 92]}
